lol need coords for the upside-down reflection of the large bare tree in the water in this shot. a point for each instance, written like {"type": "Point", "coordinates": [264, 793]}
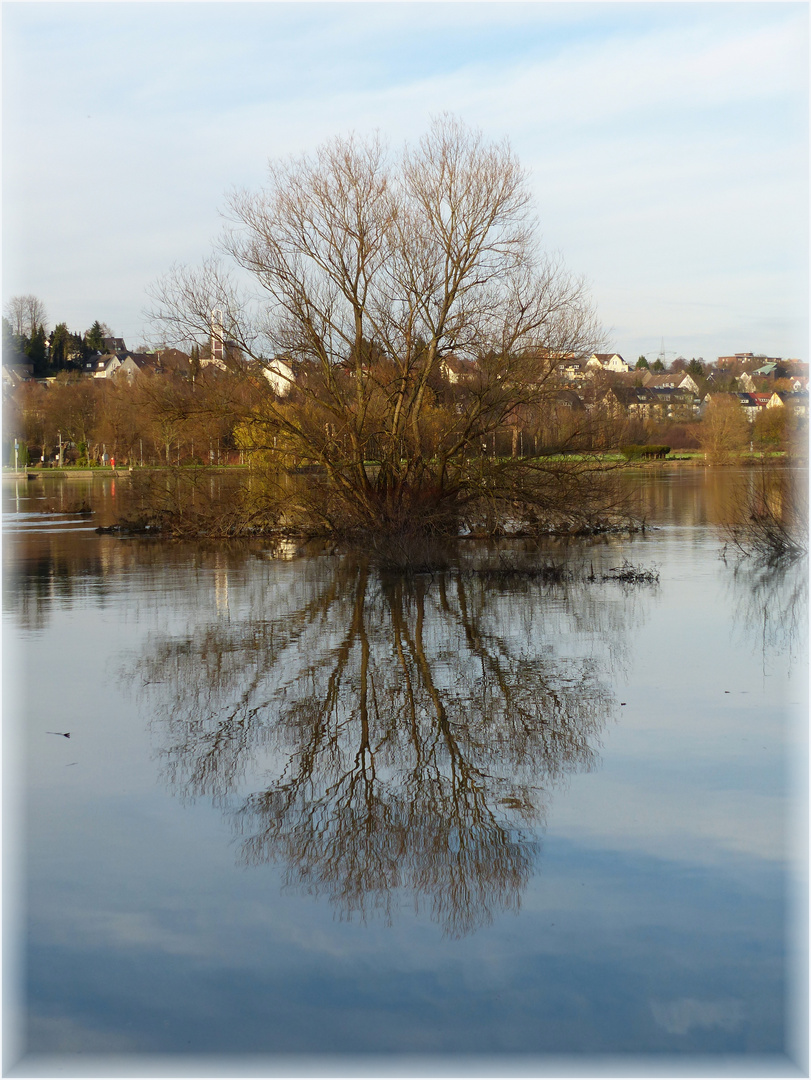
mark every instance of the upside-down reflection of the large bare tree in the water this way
{"type": "Point", "coordinates": [396, 734]}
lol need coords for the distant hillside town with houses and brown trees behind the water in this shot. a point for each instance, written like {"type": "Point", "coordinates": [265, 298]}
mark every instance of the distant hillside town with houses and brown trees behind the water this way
{"type": "Point", "coordinates": [87, 399]}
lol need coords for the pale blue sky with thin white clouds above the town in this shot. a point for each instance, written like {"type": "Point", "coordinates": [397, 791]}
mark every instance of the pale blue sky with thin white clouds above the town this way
{"type": "Point", "coordinates": [667, 144]}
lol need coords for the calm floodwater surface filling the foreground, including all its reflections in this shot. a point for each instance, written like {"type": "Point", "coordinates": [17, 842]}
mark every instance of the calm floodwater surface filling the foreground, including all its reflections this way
{"type": "Point", "coordinates": [314, 820]}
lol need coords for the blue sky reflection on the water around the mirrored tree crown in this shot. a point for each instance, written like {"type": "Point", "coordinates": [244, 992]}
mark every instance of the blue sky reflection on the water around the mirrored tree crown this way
{"type": "Point", "coordinates": [654, 922]}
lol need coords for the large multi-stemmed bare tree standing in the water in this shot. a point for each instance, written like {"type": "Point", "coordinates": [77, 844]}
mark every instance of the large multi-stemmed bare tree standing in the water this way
{"type": "Point", "coordinates": [372, 272]}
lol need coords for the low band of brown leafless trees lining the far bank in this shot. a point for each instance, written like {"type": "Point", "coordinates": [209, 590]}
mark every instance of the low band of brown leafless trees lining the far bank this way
{"type": "Point", "coordinates": [166, 420]}
